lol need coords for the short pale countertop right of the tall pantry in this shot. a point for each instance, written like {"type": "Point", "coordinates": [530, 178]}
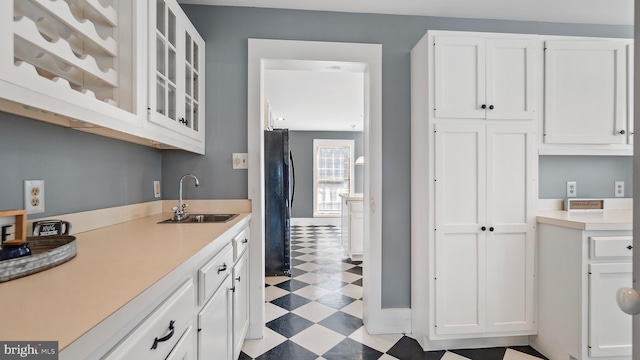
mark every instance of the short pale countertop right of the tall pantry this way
{"type": "Point", "coordinates": [614, 219]}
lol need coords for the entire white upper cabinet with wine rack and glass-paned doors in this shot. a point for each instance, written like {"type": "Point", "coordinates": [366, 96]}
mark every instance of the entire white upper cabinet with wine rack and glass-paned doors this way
{"type": "Point", "coordinates": [83, 64]}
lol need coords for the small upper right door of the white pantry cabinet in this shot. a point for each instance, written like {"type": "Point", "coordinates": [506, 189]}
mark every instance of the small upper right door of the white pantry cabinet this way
{"type": "Point", "coordinates": [511, 71]}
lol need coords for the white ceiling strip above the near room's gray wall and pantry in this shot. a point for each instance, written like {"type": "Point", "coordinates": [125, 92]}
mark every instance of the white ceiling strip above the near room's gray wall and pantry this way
{"type": "Point", "coordinates": [612, 12]}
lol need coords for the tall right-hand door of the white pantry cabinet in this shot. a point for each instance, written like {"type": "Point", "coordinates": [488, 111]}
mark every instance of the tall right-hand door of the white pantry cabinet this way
{"type": "Point", "coordinates": [511, 181]}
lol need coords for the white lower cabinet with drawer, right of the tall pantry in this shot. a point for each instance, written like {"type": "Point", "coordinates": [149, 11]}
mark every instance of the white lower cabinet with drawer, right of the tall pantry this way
{"type": "Point", "coordinates": [580, 273]}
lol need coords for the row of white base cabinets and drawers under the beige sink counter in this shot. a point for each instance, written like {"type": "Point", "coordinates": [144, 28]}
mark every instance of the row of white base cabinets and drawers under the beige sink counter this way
{"type": "Point", "coordinates": [205, 314]}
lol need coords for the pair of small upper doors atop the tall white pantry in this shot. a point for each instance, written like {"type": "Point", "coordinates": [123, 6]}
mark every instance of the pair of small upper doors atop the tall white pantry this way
{"type": "Point", "coordinates": [484, 78]}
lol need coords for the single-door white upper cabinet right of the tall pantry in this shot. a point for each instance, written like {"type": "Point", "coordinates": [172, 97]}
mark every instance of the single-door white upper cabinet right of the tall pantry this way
{"type": "Point", "coordinates": [585, 92]}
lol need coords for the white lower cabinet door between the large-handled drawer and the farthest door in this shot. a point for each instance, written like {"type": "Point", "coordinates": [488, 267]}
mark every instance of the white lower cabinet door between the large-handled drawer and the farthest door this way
{"type": "Point", "coordinates": [215, 330]}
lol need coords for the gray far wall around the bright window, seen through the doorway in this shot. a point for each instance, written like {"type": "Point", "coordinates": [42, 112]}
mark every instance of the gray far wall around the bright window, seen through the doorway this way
{"type": "Point", "coordinates": [301, 143]}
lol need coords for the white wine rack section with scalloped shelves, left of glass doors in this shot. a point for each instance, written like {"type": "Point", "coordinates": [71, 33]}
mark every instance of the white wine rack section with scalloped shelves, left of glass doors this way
{"type": "Point", "coordinates": [77, 59]}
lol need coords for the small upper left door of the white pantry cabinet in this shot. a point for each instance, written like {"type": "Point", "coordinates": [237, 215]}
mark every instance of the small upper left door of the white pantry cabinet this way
{"type": "Point", "coordinates": [459, 72]}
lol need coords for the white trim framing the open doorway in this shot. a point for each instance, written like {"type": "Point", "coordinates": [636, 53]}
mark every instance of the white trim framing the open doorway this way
{"type": "Point", "coordinates": [261, 50]}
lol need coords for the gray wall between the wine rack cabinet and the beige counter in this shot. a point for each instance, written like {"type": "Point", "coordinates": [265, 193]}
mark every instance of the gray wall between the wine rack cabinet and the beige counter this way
{"type": "Point", "coordinates": [81, 171]}
